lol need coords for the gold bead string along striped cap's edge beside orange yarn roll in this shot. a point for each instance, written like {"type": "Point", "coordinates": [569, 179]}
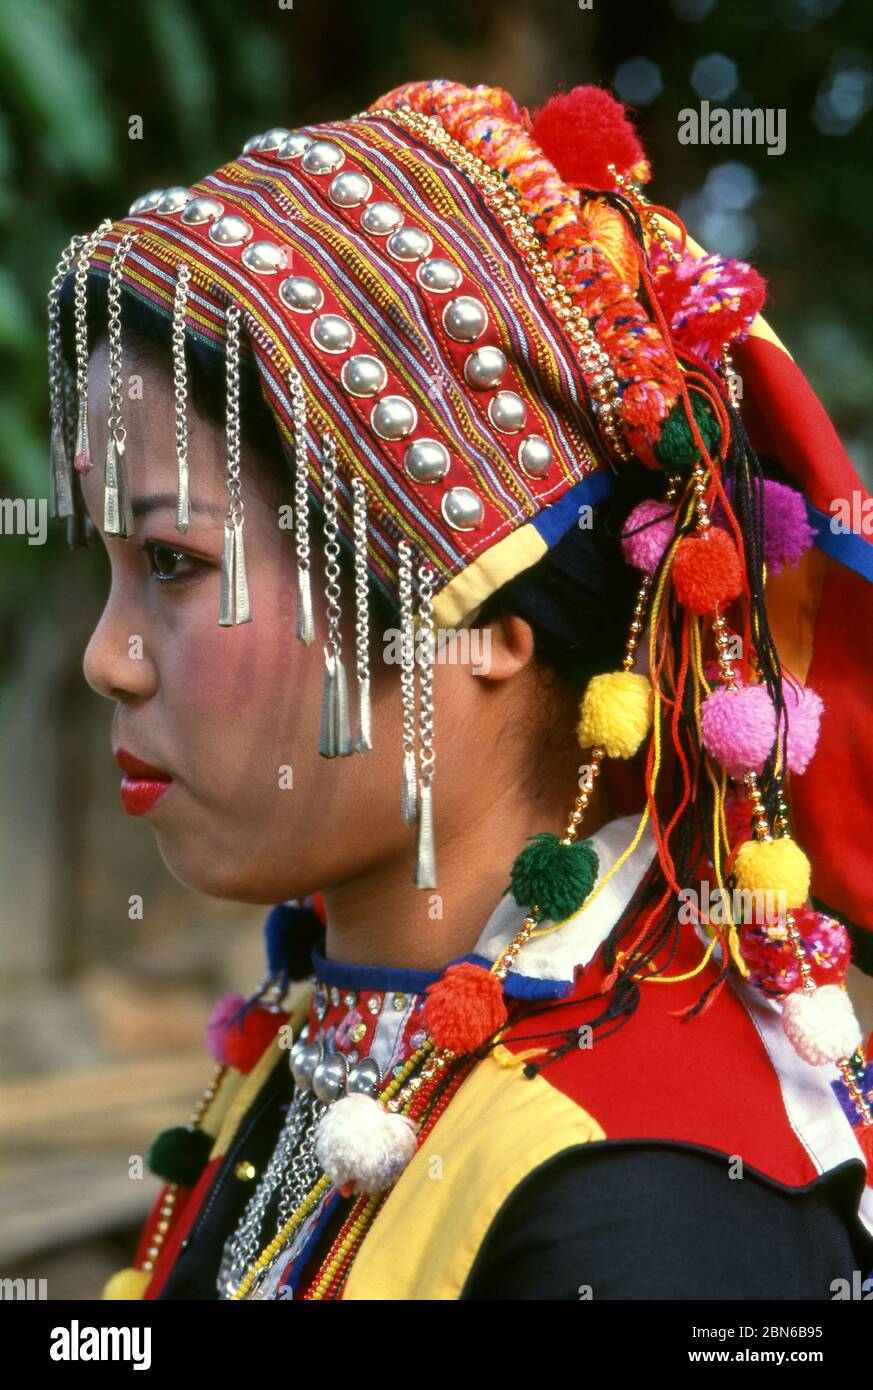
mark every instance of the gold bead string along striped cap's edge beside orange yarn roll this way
{"type": "Point", "coordinates": [508, 205]}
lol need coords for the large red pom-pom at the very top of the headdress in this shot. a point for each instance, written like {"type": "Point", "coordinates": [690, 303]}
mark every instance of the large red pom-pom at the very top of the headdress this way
{"type": "Point", "coordinates": [583, 133]}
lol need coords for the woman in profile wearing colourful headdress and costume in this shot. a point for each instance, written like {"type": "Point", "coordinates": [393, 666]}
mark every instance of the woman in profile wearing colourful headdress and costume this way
{"type": "Point", "coordinates": [440, 387]}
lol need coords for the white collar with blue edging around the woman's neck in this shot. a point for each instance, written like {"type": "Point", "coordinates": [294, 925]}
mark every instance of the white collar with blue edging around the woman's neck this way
{"type": "Point", "coordinates": [546, 967]}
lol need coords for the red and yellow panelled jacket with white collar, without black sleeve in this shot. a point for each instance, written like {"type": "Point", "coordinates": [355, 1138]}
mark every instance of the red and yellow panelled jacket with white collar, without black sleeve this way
{"type": "Point", "coordinates": [726, 1082]}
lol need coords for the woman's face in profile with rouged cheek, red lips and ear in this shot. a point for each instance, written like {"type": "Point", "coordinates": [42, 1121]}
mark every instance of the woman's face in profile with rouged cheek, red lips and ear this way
{"type": "Point", "coordinates": [233, 715]}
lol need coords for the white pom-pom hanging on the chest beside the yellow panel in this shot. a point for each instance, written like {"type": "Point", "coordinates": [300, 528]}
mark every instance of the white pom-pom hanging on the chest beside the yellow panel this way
{"type": "Point", "coordinates": [364, 1147]}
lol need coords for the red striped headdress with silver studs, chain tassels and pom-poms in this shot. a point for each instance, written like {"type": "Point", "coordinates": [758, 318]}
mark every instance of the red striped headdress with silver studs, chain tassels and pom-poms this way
{"type": "Point", "coordinates": [466, 323]}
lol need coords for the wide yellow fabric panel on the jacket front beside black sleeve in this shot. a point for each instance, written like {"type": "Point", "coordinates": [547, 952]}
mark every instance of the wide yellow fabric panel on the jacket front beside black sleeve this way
{"type": "Point", "coordinates": [496, 1131]}
